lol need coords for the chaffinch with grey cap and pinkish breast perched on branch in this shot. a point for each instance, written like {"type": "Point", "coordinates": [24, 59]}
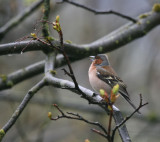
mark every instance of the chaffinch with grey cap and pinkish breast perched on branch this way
{"type": "Point", "coordinates": [102, 76]}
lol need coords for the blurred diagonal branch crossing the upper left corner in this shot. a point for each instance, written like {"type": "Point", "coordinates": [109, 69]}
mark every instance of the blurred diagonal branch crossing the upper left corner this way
{"type": "Point", "coordinates": [19, 18]}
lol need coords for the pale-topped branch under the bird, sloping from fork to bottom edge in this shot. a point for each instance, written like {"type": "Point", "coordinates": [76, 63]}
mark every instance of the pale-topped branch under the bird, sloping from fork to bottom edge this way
{"type": "Point", "coordinates": [60, 83]}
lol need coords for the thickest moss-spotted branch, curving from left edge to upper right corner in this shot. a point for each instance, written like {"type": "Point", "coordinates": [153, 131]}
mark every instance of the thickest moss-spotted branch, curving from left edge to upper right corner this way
{"type": "Point", "coordinates": [110, 42]}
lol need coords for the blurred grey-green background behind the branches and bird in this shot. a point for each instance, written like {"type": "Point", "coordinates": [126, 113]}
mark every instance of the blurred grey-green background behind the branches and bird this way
{"type": "Point", "coordinates": [137, 63]}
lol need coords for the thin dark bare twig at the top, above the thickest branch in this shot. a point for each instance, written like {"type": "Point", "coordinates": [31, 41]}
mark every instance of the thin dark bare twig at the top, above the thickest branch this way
{"type": "Point", "coordinates": [100, 12]}
